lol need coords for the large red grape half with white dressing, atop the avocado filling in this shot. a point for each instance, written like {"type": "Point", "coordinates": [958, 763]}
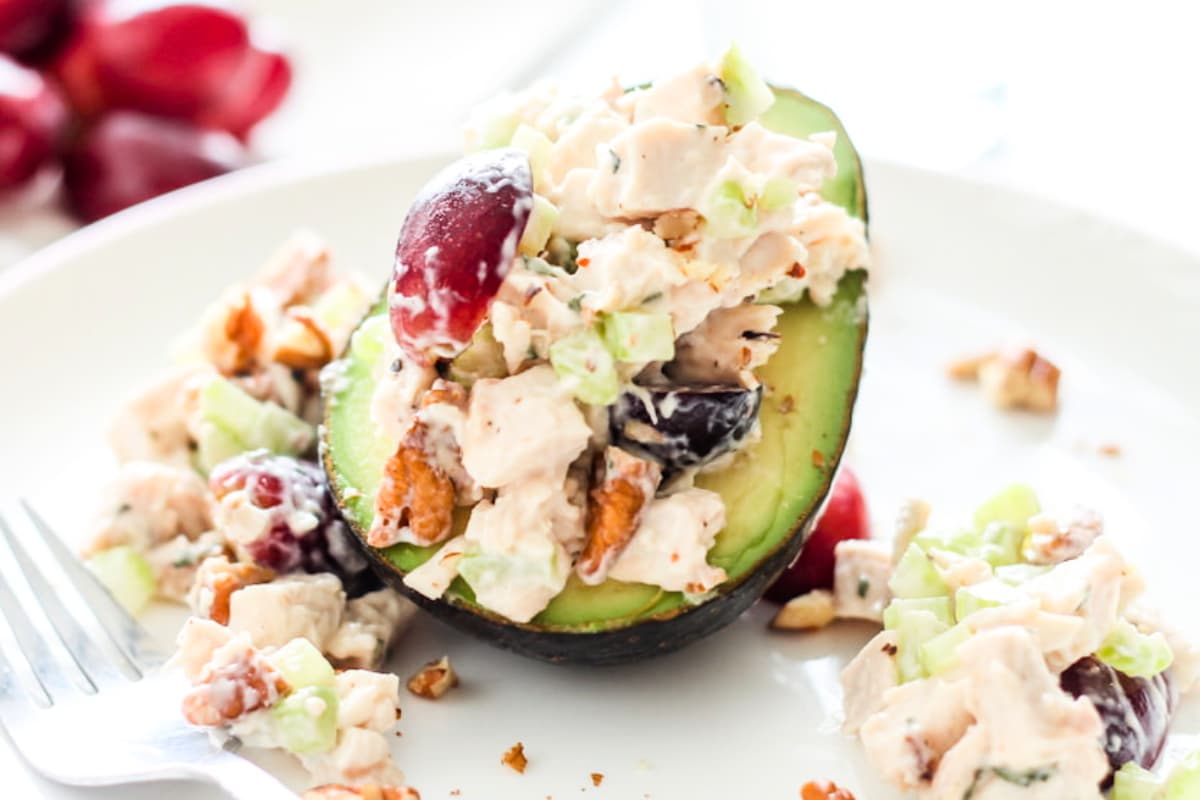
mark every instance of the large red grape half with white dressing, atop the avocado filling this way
{"type": "Point", "coordinates": [455, 248]}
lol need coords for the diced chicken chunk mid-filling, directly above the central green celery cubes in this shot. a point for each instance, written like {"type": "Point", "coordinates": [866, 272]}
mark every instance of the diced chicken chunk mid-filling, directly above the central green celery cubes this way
{"type": "Point", "coordinates": [626, 270]}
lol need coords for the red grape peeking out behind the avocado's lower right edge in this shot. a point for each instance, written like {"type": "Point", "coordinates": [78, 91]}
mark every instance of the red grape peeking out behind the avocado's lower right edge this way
{"type": "Point", "coordinates": [844, 518]}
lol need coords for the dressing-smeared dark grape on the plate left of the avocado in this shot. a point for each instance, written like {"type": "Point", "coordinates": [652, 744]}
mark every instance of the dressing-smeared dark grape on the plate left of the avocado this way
{"type": "Point", "coordinates": [304, 533]}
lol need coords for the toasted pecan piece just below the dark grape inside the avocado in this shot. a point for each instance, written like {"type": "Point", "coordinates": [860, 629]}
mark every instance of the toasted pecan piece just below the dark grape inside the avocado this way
{"type": "Point", "coordinates": [626, 486]}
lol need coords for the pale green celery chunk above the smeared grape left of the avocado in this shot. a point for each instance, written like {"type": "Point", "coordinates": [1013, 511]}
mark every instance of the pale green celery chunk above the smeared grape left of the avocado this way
{"type": "Point", "coordinates": [236, 422]}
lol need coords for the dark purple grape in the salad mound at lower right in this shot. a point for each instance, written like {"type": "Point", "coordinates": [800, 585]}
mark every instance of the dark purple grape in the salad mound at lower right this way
{"type": "Point", "coordinates": [1137, 712]}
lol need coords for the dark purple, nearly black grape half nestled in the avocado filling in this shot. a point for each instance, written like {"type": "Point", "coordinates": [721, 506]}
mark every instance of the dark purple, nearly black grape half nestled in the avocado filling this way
{"type": "Point", "coordinates": [689, 426]}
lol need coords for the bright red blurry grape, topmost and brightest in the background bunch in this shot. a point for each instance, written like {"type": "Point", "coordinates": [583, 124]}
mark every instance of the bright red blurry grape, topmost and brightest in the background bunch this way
{"type": "Point", "coordinates": [185, 61]}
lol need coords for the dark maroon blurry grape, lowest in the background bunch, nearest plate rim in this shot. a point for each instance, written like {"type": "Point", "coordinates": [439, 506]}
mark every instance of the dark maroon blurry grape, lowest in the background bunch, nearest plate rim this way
{"type": "Point", "coordinates": [131, 158]}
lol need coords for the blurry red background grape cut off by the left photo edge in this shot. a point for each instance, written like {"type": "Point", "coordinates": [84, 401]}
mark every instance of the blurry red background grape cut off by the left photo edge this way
{"type": "Point", "coordinates": [33, 122]}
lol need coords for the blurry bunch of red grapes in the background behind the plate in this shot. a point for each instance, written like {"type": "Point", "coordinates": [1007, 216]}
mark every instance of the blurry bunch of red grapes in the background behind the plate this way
{"type": "Point", "coordinates": [134, 98]}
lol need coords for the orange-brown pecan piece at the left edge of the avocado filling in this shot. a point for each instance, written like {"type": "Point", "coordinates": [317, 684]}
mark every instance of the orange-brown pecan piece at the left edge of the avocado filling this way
{"type": "Point", "coordinates": [416, 495]}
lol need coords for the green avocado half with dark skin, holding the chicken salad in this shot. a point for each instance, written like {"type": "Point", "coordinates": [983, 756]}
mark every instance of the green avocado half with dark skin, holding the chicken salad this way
{"type": "Point", "coordinates": [772, 491]}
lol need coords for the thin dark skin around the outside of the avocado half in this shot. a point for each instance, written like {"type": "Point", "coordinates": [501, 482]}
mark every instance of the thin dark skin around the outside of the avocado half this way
{"type": "Point", "coordinates": [670, 631]}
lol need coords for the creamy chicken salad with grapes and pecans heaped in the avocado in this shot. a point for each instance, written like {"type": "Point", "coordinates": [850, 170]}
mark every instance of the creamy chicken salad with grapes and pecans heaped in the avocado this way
{"type": "Point", "coordinates": [560, 430]}
